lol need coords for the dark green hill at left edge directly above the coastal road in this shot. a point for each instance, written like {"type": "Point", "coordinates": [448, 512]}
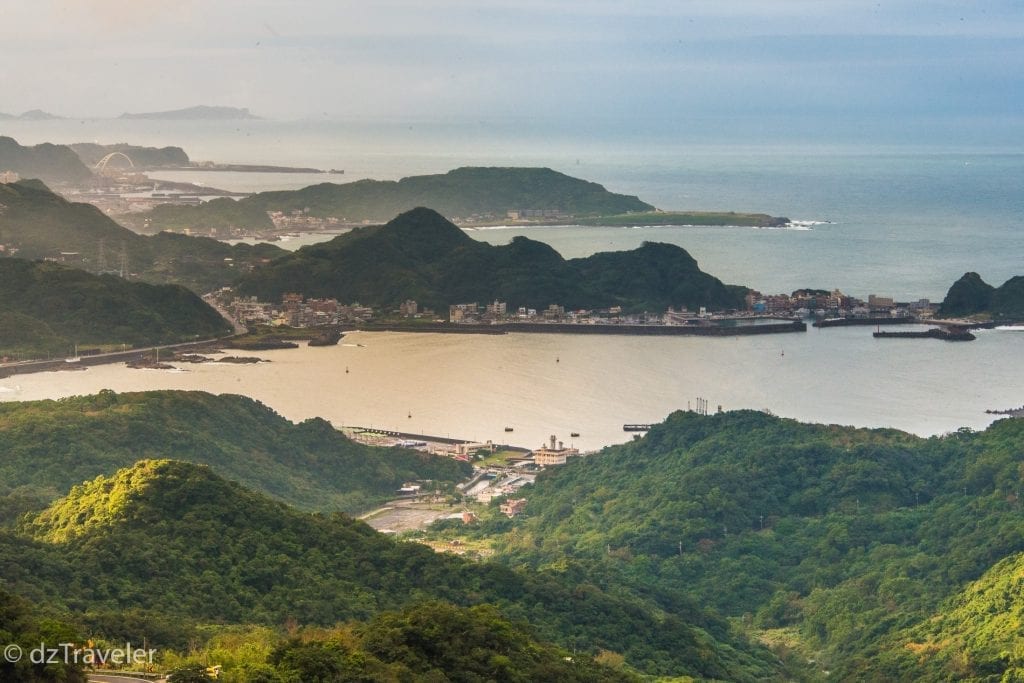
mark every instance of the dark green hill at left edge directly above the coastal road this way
{"type": "Point", "coordinates": [48, 309]}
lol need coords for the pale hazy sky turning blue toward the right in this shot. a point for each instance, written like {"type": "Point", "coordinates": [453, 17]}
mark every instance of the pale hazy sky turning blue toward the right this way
{"type": "Point", "coordinates": [770, 63]}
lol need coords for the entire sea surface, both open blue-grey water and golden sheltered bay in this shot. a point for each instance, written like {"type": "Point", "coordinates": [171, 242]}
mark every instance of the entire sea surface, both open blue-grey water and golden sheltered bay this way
{"type": "Point", "coordinates": [897, 222]}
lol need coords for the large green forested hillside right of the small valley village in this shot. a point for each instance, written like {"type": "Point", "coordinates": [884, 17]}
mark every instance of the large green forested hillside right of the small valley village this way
{"type": "Point", "coordinates": [849, 537]}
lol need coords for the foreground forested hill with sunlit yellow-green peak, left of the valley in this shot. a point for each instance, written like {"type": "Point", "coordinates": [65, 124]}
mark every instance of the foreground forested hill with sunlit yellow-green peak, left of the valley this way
{"type": "Point", "coordinates": [164, 544]}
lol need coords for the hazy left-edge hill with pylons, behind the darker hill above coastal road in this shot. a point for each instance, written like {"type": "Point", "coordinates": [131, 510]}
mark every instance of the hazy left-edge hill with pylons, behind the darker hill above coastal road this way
{"type": "Point", "coordinates": [41, 225]}
